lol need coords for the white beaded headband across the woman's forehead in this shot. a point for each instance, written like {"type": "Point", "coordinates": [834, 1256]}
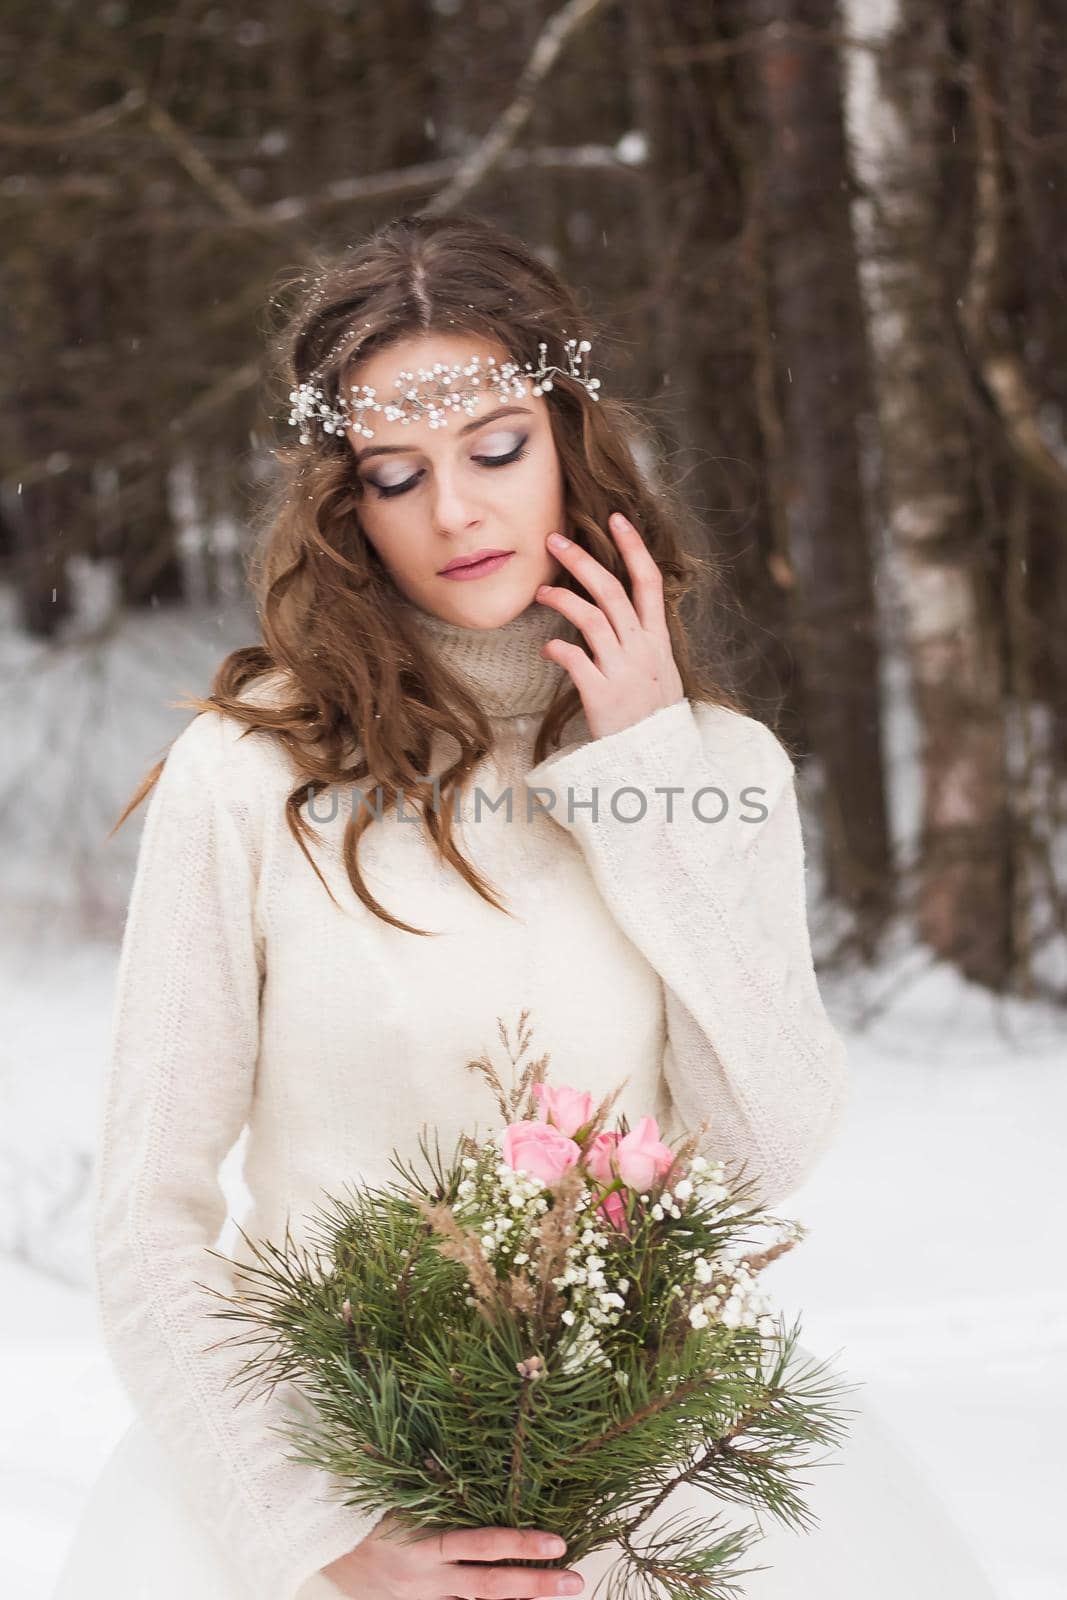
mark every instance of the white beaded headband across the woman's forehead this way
{"type": "Point", "coordinates": [436, 394]}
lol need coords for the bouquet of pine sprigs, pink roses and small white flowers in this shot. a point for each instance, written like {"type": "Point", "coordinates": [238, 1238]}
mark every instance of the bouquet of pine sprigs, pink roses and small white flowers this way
{"type": "Point", "coordinates": [554, 1329]}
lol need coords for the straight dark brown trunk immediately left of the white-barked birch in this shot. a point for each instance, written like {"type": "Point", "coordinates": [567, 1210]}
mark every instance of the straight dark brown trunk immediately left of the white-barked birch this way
{"type": "Point", "coordinates": [823, 385]}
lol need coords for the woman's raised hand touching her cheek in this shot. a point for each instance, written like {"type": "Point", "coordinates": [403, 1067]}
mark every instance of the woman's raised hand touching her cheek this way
{"type": "Point", "coordinates": [634, 671]}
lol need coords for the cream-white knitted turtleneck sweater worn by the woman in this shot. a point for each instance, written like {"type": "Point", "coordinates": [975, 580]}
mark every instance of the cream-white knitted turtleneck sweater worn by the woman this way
{"type": "Point", "coordinates": [671, 953]}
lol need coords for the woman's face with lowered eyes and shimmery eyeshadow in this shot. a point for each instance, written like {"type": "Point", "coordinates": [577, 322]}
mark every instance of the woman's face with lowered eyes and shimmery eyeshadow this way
{"type": "Point", "coordinates": [489, 481]}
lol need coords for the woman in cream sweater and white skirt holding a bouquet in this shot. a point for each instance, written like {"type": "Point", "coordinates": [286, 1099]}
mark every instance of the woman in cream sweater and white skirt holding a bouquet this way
{"type": "Point", "coordinates": [324, 970]}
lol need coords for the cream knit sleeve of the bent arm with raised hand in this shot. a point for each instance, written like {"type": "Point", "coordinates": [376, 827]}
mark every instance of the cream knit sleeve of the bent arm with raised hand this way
{"type": "Point", "coordinates": [709, 884]}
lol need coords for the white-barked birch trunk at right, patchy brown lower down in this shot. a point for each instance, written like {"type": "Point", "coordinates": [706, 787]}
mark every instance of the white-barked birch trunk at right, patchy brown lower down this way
{"type": "Point", "coordinates": [946, 572]}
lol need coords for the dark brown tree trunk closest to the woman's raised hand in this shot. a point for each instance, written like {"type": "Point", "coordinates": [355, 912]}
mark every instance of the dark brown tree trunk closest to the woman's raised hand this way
{"type": "Point", "coordinates": [706, 289]}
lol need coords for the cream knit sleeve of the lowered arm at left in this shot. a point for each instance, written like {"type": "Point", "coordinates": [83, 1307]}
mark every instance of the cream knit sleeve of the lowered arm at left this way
{"type": "Point", "coordinates": [178, 1087]}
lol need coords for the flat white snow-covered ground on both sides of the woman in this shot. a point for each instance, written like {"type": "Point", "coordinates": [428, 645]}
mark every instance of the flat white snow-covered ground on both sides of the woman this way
{"type": "Point", "coordinates": [933, 1271]}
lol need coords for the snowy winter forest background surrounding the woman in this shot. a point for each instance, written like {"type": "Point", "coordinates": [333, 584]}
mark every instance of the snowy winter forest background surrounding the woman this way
{"type": "Point", "coordinates": [833, 246]}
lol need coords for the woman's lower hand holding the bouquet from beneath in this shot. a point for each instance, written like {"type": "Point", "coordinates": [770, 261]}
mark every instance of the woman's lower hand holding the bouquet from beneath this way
{"type": "Point", "coordinates": [455, 1566]}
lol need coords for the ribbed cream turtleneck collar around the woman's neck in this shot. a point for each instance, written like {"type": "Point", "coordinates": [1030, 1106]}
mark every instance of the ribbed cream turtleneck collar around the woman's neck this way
{"type": "Point", "coordinates": [503, 665]}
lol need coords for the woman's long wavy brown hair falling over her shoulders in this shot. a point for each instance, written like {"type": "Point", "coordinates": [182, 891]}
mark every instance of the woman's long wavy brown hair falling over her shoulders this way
{"type": "Point", "coordinates": [358, 674]}
